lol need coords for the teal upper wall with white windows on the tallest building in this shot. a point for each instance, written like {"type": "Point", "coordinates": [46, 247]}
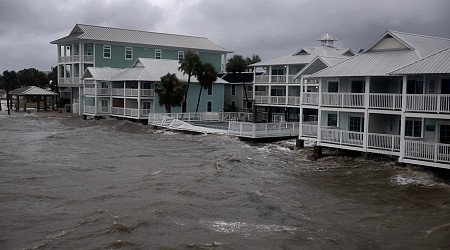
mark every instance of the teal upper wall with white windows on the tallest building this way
{"type": "Point", "coordinates": [118, 60]}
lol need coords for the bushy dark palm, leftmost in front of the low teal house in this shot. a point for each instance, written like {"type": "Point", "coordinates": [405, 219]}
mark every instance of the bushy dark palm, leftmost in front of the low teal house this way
{"type": "Point", "coordinates": [170, 92]}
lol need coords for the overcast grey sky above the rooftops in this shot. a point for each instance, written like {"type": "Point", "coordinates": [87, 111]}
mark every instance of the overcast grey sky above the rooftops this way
{"type": "Point", "coordinates": [270, 28]}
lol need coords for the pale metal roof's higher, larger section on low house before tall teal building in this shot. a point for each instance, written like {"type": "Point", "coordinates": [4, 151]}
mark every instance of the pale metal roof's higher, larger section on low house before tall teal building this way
{"type": "Point", "coordinates": [148, 69]}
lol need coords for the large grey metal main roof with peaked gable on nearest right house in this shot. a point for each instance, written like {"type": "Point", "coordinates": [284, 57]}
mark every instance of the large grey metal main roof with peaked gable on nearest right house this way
{"type": "Point", "coordinates": [378, 62]}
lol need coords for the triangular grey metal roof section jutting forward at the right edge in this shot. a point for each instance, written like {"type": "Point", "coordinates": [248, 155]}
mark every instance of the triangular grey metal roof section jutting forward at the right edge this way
{"type": "Point", "coordinates": [437, 63]}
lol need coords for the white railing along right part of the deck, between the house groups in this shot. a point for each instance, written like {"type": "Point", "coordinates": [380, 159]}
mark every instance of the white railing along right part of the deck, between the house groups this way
{"type": "Point", "coordinates": [263, 130]}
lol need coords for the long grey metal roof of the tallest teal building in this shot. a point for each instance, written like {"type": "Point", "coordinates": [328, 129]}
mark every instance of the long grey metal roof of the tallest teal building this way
{"type": "Point", "coordinates": [107, 34]}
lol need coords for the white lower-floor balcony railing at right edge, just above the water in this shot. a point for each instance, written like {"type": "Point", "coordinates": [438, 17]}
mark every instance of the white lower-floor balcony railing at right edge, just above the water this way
{"type": "Point", "coordinates": [427, 151]}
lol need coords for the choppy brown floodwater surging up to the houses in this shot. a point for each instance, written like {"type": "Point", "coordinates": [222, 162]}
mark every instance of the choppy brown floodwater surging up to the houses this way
{"type": "Point", "coordinates": [66, 183]}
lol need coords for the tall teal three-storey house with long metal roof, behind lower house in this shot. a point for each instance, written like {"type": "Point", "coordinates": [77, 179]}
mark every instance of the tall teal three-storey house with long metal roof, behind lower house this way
{"type": "Point", "coordinates": [95, 46]}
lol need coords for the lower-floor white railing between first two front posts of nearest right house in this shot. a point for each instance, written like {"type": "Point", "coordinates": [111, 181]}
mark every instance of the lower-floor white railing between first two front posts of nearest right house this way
{"type": "Point", "coordinates": [342, 137]}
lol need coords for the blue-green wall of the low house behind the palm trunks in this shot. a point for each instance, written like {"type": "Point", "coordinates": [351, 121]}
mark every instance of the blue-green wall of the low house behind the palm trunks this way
{"type": "Point", "coordinates": [217, 99]}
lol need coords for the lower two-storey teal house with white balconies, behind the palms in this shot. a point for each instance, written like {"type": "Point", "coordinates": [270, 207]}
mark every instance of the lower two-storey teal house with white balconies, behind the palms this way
{"type": "Point", "coordinates": [130, 93]}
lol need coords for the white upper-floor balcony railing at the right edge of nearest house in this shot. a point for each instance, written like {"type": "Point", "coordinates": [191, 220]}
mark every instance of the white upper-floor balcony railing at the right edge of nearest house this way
{"type": "Point", "coordinates": [428, 103]}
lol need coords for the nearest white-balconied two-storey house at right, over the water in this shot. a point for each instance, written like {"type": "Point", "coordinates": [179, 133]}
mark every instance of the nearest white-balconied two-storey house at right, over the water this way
{"type": "Point", "coordinates": [393, 98]}
